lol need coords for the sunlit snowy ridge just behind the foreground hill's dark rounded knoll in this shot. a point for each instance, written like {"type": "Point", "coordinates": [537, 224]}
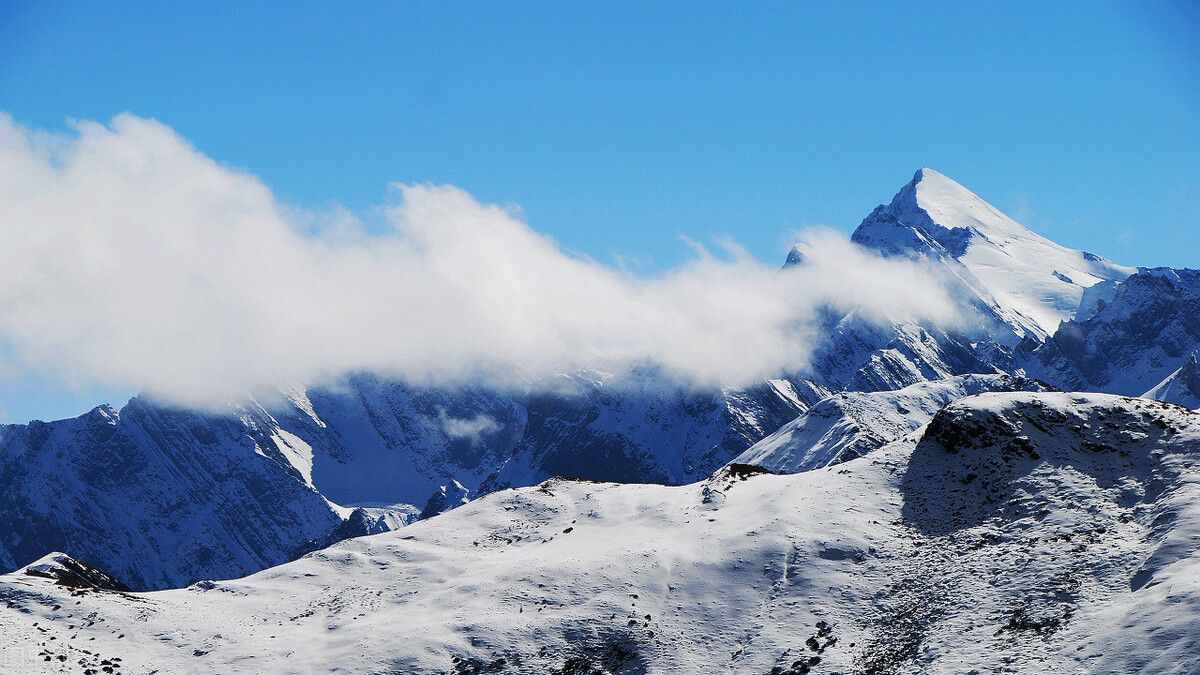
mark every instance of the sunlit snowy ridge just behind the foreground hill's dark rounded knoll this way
{"type": "Point", "coordinates": [850, 425]}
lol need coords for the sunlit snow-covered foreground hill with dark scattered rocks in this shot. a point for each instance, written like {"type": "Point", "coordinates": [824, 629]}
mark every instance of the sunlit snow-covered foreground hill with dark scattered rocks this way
{"type": "Point", "coordinates": [1024, 533]}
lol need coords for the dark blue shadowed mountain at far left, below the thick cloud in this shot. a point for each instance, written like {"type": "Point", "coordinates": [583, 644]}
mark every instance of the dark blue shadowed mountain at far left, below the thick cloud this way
{"type": "Point", "coordinates": [159, 497]}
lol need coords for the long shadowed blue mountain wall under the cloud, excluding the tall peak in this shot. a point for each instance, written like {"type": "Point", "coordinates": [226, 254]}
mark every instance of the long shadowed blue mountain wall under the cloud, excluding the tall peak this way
{"type": "Point", "coordinates": [163, 498]}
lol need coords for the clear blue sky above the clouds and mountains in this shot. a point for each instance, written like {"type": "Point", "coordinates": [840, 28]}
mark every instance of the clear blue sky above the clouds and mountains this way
{"type": "Point", "coordinates": [619, 127]}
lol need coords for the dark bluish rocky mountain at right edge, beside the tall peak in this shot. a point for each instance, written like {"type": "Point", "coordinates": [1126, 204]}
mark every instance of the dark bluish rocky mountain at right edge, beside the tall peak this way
{"type": "Point", "coordinates": [1130, 337]}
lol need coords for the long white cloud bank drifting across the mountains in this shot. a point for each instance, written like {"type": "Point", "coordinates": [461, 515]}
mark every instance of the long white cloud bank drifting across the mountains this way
{"type": "Point", "coordinates": [130, 259]}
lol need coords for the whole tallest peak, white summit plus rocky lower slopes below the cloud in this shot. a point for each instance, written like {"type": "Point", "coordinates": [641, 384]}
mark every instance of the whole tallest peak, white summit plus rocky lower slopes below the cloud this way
{"type": "Point", "coordinates": [1018, 286]}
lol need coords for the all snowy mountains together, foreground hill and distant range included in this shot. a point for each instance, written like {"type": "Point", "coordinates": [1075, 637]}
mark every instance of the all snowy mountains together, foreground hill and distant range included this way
{"type": "Point", "coordinates": [1015, 493]}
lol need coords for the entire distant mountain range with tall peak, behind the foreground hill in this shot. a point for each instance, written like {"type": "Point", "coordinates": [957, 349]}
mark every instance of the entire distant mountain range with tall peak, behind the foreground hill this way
{"type": "Point", "coordinates": [225, 495]}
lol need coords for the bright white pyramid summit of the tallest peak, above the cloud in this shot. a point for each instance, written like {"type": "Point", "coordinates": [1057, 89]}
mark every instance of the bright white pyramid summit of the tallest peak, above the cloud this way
{"type": "Point", "coordinates": [1028, 282]}
